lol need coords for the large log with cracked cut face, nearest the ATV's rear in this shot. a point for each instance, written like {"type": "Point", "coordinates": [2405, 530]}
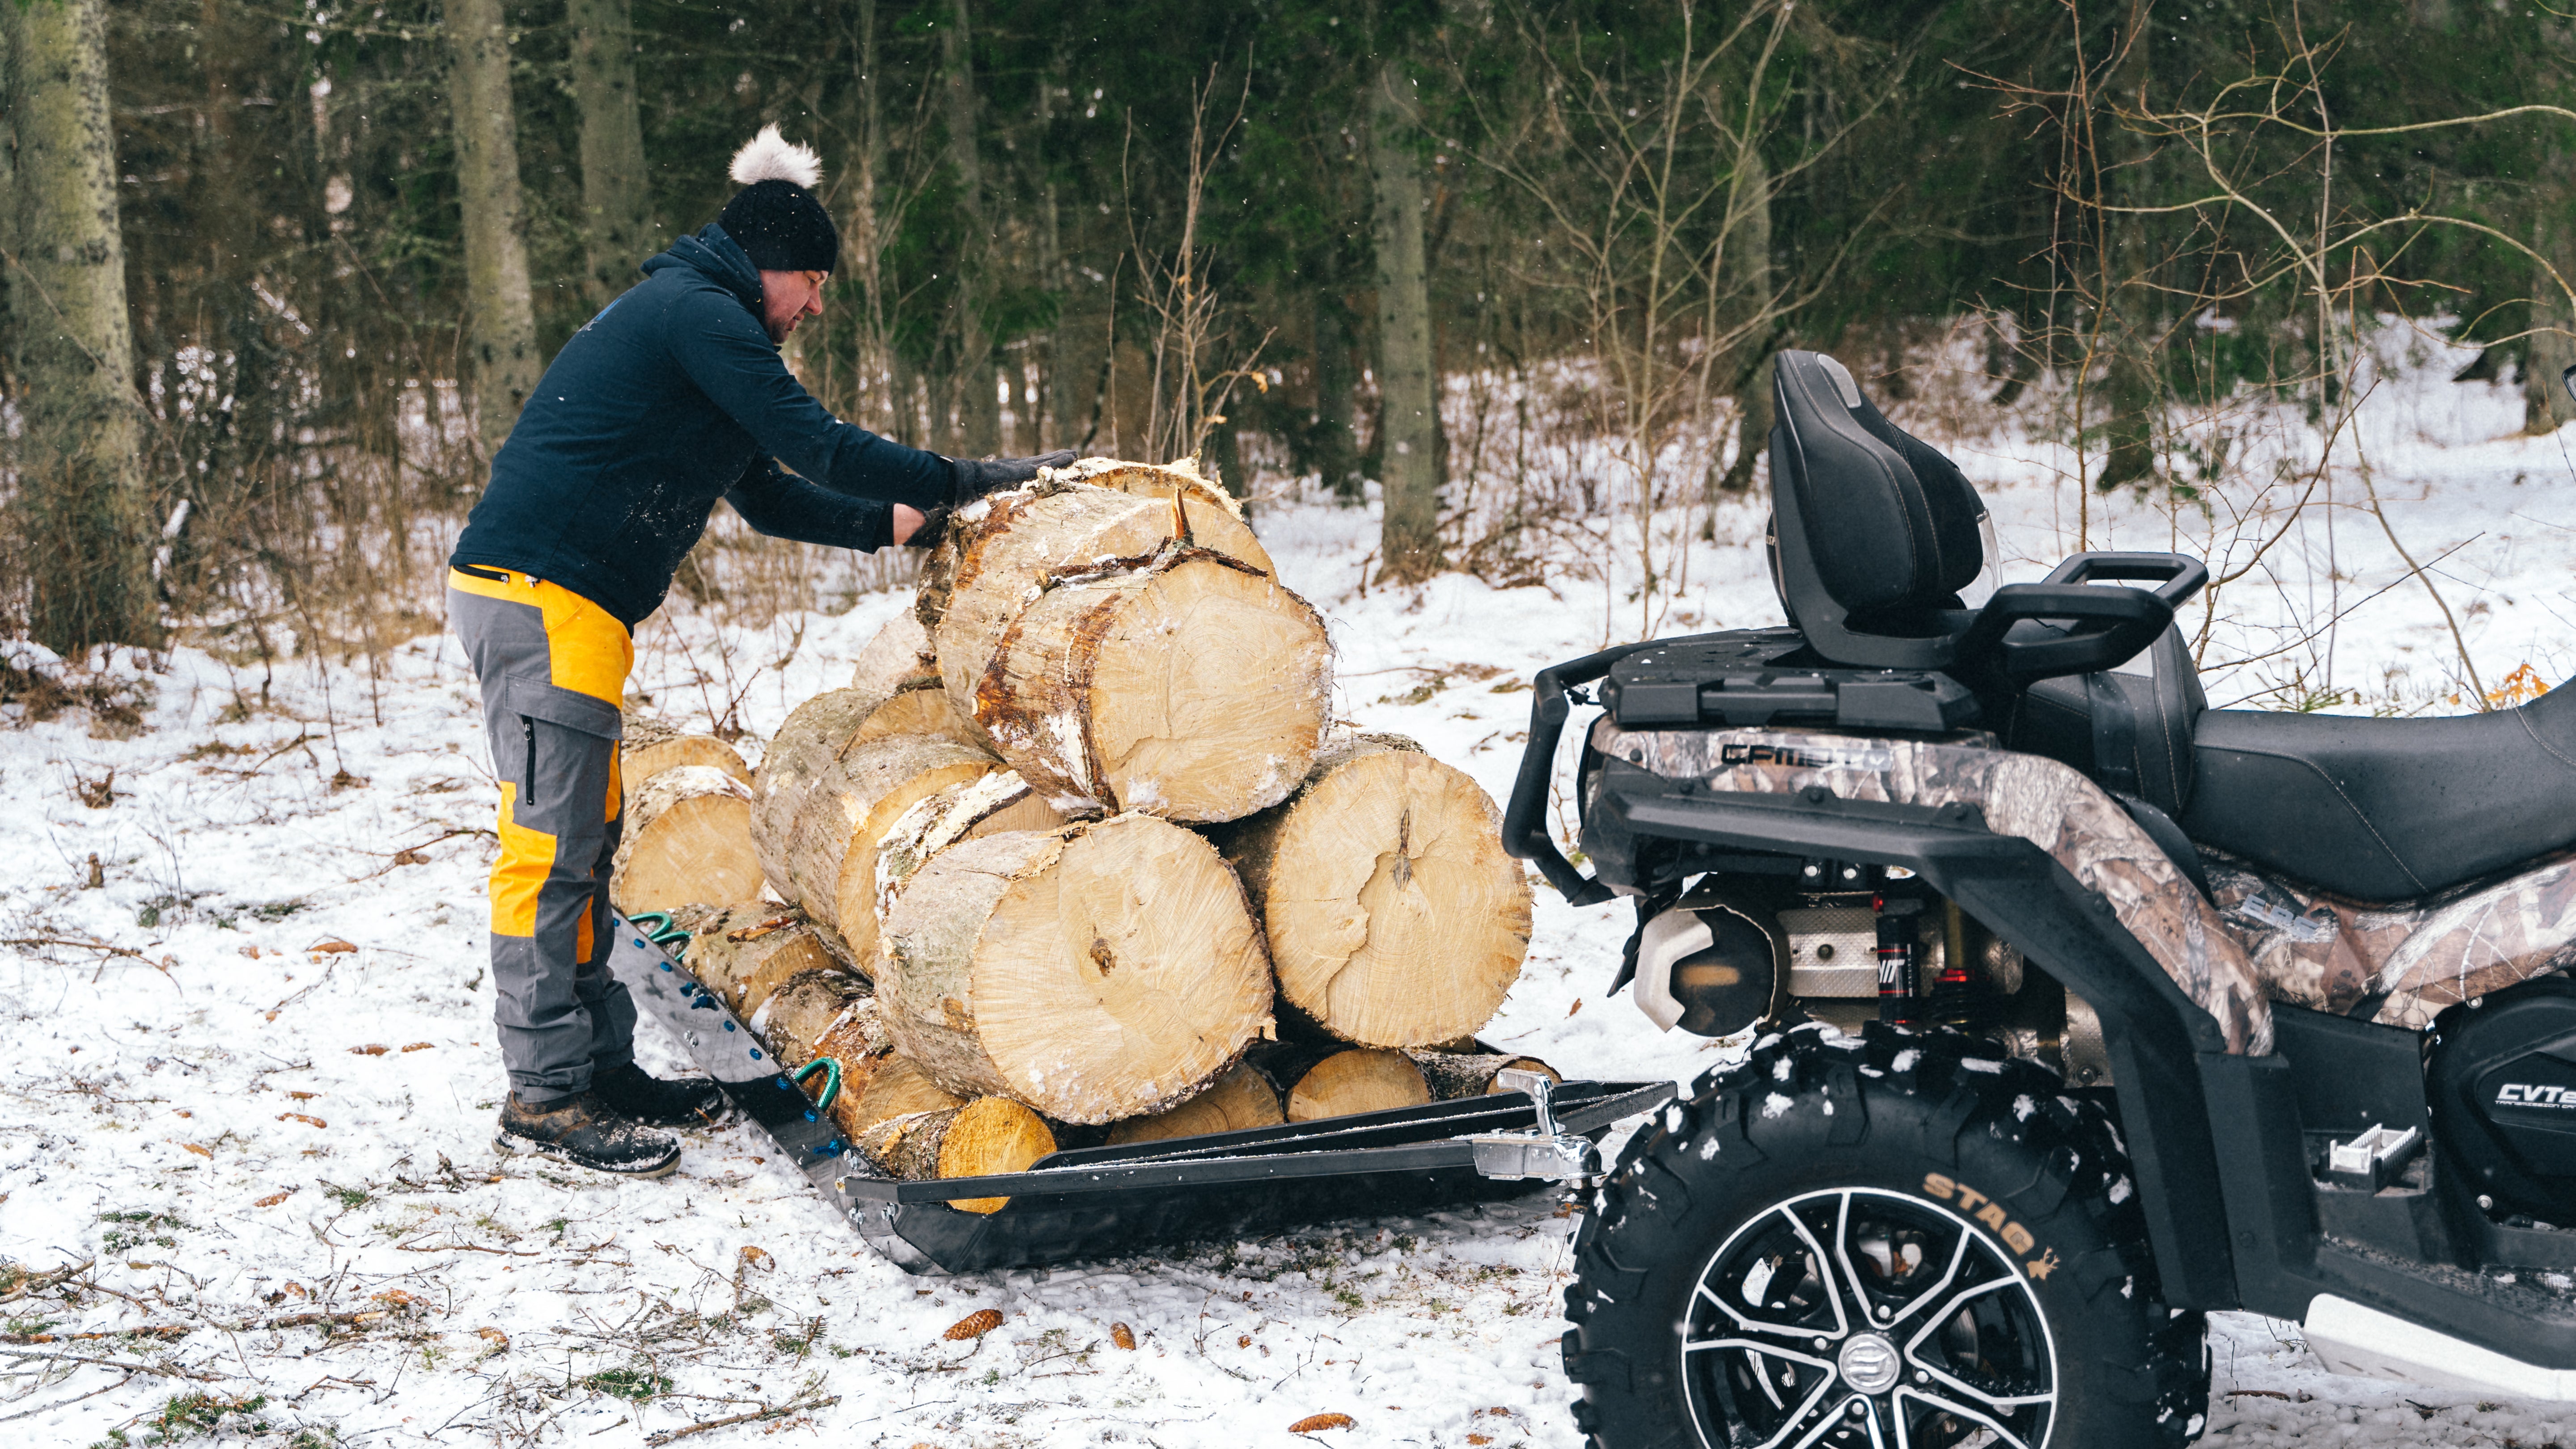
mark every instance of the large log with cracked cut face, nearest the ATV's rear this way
{"type": "Point", "coordinates": [1392, 912]}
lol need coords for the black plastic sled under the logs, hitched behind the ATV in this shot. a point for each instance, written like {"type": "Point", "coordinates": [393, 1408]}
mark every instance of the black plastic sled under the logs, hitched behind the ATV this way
{"type": "Point", "coordinates": [1094, 1203]}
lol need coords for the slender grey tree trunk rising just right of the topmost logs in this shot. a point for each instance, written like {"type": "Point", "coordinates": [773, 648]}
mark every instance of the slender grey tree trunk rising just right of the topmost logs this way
{"type": "Point", "coordinates": [1408, 385]}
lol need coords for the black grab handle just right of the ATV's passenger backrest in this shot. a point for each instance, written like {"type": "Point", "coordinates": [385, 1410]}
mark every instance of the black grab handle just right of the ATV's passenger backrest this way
{"type": "Point", "coordinates": [2111, 627]}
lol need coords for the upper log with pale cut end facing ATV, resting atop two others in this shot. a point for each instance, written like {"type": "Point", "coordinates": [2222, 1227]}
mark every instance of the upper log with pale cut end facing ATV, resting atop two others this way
{"type": "Point", "coordinates": [1191, 688]}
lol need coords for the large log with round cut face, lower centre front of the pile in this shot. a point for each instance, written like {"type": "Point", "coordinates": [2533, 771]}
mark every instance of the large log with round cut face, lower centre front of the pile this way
{"type": "Point", "coordinates": [1096, 972]}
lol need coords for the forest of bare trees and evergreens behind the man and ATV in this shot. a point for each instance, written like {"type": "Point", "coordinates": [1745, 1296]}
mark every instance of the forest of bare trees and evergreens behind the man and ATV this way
{"type": "Point", "coordinates": [279, 274]}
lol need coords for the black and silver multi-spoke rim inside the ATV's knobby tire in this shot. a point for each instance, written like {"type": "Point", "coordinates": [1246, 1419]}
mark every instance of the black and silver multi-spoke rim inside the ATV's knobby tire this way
{"type": "Point", "coordinates": [1859, 1316]}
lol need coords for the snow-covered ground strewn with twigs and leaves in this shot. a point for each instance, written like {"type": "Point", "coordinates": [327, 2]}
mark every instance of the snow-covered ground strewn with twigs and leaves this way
{"type": "Point", "coordinates": [251, 1072]}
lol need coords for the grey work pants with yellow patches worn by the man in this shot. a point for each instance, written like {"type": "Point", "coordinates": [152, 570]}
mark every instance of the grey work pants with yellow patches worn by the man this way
{"type": "Point", "coordinates": [553, 673]}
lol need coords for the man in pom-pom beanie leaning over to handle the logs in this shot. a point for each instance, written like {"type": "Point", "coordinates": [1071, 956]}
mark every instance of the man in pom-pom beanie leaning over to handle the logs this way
{"type": "Point", "coordinates": [668, 400]}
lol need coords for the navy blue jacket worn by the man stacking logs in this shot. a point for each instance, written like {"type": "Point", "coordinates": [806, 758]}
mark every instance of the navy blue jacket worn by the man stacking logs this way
{"type": "Point", "coordinates": [668, 400]}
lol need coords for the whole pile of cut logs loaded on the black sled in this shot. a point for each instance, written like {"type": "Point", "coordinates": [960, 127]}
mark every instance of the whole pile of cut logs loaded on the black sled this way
{"type": "Point", "coordinates": [1075, 856]}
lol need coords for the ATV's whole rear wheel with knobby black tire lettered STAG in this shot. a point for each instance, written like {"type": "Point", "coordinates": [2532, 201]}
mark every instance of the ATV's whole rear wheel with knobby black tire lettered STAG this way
{"type": "Point", "coordinates": [1856, 1232]}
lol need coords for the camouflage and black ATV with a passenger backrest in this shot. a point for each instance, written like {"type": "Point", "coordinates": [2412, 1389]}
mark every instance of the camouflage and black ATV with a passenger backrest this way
{"type": "Point", "coordinates": [2078, 1010]}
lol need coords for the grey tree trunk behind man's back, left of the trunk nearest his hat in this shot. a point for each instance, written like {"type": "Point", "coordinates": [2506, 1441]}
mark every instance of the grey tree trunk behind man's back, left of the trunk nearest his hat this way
{"type": "Point", "coordinates": [504, 320]}
